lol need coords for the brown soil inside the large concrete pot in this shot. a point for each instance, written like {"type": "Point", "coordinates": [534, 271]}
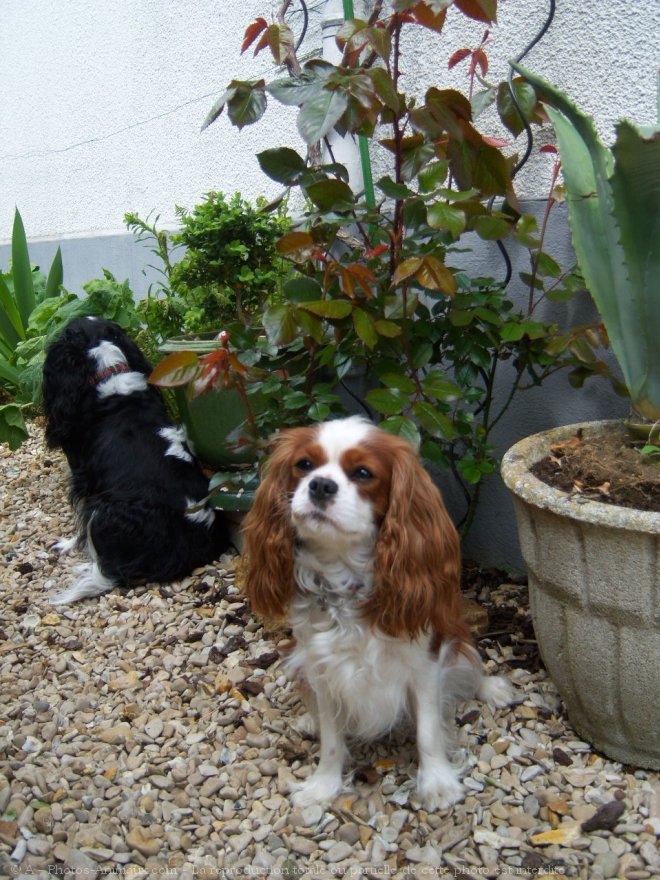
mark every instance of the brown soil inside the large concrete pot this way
{"type": "Point", "coordinates": [607, 468]}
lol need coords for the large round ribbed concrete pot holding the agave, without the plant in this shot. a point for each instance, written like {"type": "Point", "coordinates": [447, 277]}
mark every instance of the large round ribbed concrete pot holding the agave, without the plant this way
{"type": "Point", "coordinates": [594, 584]}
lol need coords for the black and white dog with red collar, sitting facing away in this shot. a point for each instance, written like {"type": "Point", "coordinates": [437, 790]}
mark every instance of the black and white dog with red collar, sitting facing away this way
{"type": "Point", "coordinates": [135, 485]}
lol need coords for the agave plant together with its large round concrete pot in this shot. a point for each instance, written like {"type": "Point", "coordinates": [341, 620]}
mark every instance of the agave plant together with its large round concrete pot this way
{"type": "Point", "coordinates": [593, 564]}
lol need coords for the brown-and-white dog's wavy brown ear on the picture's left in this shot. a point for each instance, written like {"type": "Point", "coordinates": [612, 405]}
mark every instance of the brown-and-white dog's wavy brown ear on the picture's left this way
{"type": "Point", "coordinates": [269, 535]}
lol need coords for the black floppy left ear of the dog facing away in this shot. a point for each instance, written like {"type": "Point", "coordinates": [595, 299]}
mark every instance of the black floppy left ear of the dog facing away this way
{"type": "Point", "coordinates": [65, 378]}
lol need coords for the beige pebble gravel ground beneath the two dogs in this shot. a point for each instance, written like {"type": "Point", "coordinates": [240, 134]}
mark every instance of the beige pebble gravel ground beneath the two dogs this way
{"type": "Point", "coordinates": [152, 733]}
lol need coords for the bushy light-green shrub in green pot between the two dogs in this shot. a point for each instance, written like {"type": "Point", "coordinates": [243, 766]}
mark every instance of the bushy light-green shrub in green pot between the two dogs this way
{"type": "Point", "coordinates": [229, 271]}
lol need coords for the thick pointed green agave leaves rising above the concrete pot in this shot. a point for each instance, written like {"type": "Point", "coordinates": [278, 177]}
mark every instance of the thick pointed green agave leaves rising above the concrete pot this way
{"type": "Point", "coordinates": [613, 198]}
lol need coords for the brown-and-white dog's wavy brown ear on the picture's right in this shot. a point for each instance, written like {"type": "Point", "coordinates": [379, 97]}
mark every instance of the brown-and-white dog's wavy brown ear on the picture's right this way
{"type": "Point", "coordinates": [417, 555]}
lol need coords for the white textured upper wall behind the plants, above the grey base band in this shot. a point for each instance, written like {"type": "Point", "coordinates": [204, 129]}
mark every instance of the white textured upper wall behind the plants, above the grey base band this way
{"type": "Point", "coordinates": [102, 100]}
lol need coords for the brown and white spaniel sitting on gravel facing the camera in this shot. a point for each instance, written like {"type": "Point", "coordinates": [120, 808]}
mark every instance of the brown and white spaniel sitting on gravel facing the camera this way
{"type": "Point", "coordinates": [349, 540]}
